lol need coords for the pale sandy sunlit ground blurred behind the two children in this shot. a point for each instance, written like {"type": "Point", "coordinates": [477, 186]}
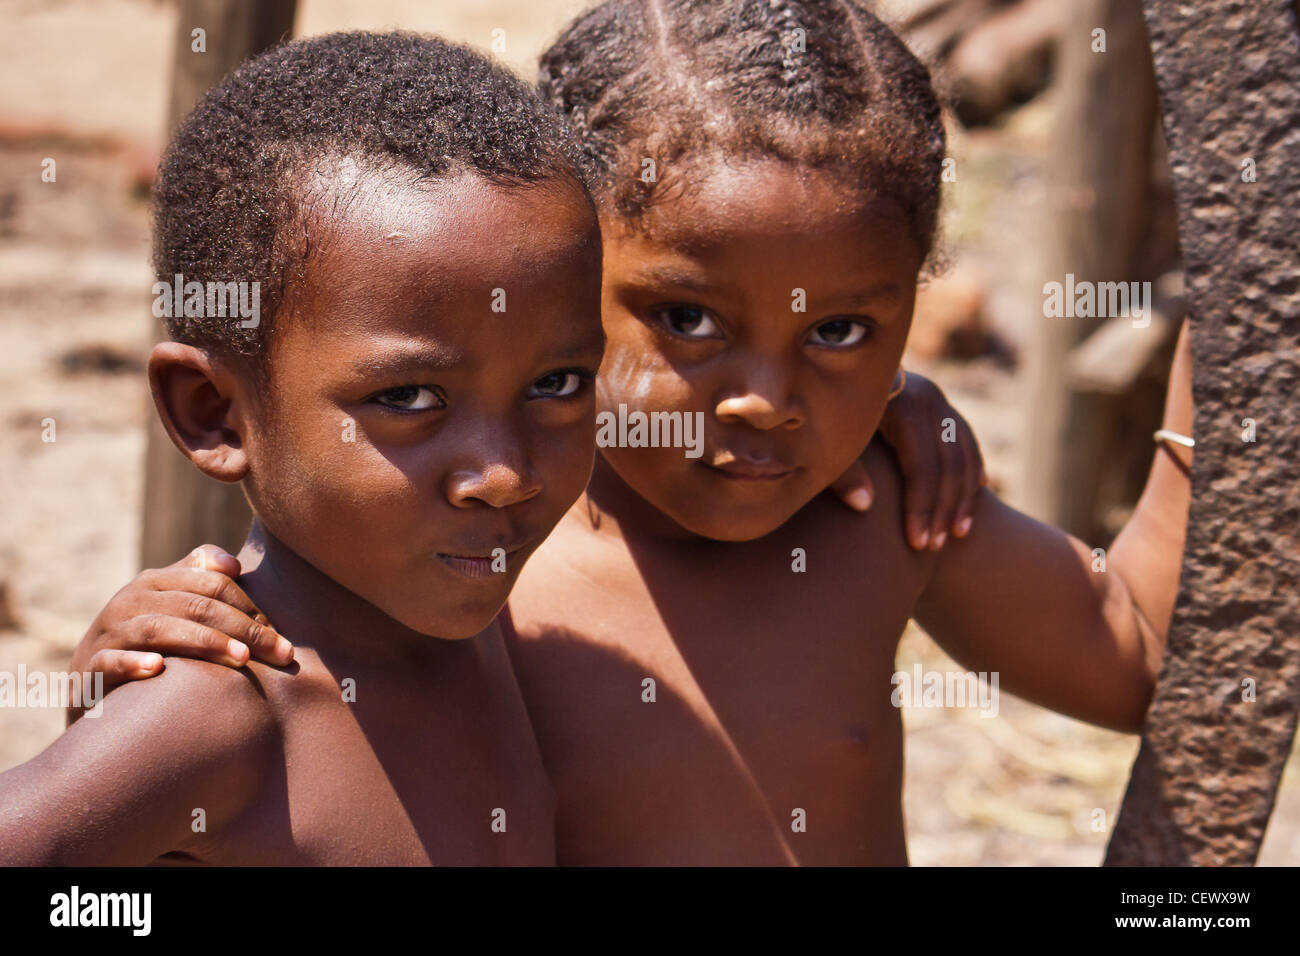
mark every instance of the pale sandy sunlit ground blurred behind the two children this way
{"type": "Point", "coordinates": [85, 84]}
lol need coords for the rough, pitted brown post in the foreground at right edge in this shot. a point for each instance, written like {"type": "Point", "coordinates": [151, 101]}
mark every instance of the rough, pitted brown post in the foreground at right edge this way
{"type": "Point", "coordinates": [1224, 719]}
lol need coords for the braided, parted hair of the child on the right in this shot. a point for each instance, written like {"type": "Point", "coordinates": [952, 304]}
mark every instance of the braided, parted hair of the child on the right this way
{"type": "Point", "coordinates": [821, 84]}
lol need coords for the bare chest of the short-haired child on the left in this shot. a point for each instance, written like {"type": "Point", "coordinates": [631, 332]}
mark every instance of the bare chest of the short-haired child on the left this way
{"type": "Point", "coordinates": [375, 777]}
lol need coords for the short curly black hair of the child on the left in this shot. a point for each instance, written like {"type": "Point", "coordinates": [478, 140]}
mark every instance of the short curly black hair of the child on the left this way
{"type": "Point", "coordinates": [229, 196]}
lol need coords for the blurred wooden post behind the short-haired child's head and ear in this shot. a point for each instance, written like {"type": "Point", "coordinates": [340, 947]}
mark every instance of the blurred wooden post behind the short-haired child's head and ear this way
{"type": "Point", "coordinates": [183, 508]}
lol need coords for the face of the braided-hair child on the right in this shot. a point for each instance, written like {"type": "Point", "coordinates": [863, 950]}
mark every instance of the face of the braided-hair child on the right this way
{"type": "Point", "coordinates": [775, 301]}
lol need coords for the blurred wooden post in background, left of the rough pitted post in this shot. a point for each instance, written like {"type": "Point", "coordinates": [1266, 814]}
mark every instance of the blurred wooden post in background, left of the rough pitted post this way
{"type": "Point", "coordinates": [1098, 178]}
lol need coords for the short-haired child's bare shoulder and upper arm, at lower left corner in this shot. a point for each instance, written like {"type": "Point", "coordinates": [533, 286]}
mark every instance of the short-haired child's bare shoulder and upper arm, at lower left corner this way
{"type": "Point", "coordinates": [200, 737]}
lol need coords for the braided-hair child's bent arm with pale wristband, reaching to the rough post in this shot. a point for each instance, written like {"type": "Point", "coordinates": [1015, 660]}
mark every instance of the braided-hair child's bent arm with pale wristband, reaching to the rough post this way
{"type": "Point", "coordinates": [1022, 599]}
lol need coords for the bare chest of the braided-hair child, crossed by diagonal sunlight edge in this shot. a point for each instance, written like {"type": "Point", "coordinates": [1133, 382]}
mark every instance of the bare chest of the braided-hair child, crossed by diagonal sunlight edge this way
{"type": "Point", "coordinates": [720, 715]}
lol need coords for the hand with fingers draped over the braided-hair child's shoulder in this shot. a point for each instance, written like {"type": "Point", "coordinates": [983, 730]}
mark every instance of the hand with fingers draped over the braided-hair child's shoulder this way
{"type": "Point", "coordinates": [941, 460]}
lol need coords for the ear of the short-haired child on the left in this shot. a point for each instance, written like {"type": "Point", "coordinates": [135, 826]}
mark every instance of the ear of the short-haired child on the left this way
{"type": "Point", "coordinates": [196, 401]}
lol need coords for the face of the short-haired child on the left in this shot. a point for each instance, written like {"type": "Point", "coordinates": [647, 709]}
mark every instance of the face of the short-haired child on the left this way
{"type": "Point", "coordinates": [411, 429]}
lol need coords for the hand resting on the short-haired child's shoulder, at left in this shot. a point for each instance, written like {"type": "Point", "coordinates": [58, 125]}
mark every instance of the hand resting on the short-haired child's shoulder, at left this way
{"type": "Point", "coordinates": [189, 609]}
